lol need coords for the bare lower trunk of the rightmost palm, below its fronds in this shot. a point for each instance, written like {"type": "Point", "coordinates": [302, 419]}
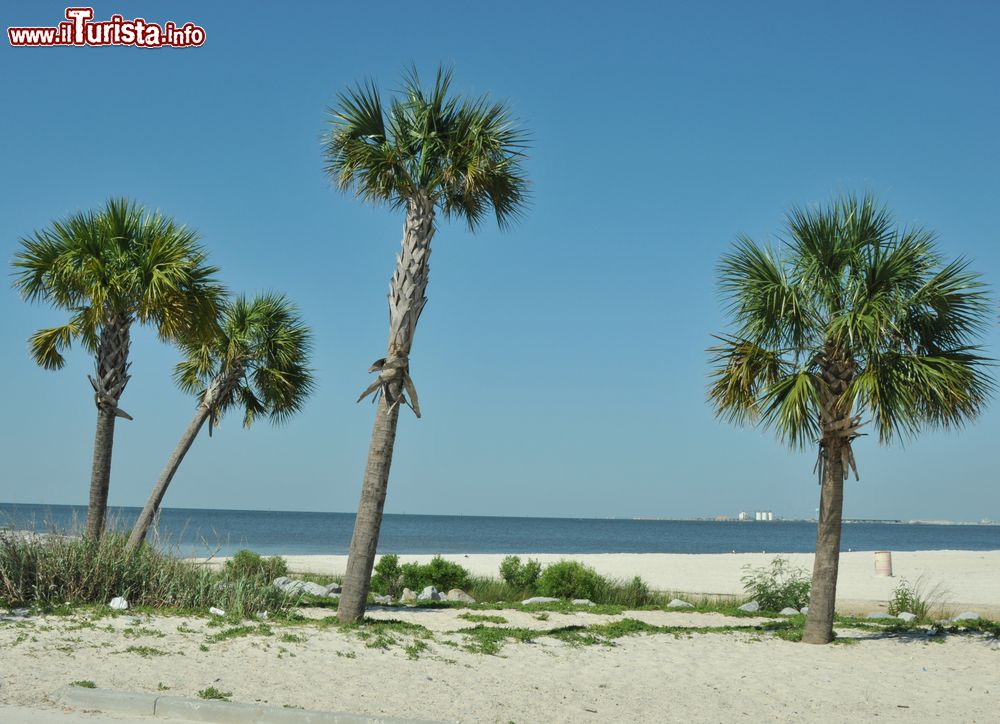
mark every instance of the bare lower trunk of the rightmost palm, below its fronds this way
{"type": "Point", "coordinates": [823, 595]}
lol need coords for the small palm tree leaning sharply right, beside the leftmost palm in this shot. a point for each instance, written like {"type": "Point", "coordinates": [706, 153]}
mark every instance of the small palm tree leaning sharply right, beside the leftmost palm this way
{"type": "Point", "coordinates": [257, 360]}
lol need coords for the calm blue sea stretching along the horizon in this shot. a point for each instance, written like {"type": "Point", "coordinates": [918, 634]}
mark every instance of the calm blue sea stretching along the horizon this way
{"type": "Point", "coordinates": [197, 531]}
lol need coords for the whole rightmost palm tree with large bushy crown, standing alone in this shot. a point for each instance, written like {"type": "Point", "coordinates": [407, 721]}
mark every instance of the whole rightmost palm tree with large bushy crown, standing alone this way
{"type": "Point", "coordinates": [855, 318]}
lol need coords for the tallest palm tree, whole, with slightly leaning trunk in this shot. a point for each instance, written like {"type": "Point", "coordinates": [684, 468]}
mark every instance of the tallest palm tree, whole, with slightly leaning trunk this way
{"type": "Point", "coordinates": [426, 153]}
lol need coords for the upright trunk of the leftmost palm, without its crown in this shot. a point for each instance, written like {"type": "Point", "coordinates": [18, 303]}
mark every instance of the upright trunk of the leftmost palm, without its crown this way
{"type": "Point", "coordinates": [109, 382]}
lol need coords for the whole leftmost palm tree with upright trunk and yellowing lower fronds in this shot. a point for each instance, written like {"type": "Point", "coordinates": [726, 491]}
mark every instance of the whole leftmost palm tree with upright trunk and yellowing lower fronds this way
{"type": "Point", "coordinates": [110, 269]}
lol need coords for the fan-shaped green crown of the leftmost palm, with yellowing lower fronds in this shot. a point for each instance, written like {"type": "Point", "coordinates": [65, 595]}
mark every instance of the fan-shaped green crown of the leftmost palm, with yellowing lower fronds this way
{"type": "Point", "coordinates": [119, 262]}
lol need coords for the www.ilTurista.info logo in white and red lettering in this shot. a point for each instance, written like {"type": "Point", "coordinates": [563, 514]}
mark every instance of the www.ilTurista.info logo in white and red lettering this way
{"type": "Point", "coordinates": [80, 29]}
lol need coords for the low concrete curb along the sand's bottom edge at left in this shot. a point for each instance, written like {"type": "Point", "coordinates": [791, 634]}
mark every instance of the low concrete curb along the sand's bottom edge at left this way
{"type": "Point", "coordinates": [198, 710]}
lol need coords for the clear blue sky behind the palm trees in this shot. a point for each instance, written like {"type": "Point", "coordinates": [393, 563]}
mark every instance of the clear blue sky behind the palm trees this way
{"type": "Point", "coordinates": [561, 365]}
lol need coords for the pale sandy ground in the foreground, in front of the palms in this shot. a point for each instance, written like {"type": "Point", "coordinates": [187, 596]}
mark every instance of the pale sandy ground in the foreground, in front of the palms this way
{"type": "Point", "coordinates": [642, 678]}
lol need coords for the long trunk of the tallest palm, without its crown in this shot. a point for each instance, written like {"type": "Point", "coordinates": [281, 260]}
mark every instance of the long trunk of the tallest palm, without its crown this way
{"type": "Point", "coordinates": [406, 301]}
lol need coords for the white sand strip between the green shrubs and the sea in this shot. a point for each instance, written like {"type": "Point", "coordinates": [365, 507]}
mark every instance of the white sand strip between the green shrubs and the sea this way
{"type": "Point", "coordinates": [968, 580]}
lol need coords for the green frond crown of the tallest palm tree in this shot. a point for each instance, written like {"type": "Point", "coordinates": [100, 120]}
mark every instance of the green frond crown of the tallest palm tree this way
{"type": "Point", "coordinates": [465, 155]}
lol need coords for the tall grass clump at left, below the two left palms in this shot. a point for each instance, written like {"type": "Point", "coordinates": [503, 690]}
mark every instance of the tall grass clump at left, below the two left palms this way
{"type": "Point", "coordinates": [51, 570]}
